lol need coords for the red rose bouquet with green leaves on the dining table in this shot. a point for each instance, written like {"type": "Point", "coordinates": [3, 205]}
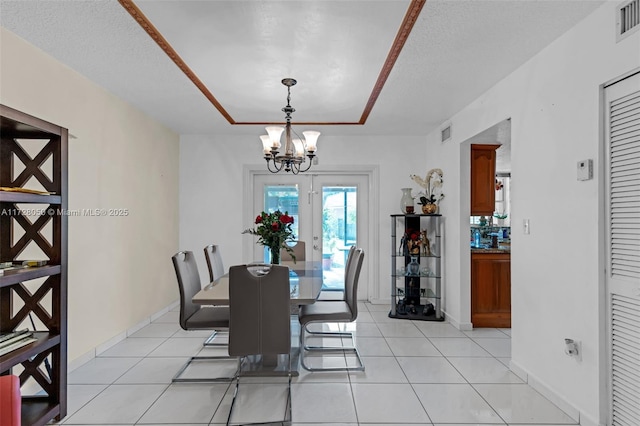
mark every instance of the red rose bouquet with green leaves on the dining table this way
{"type": "Point", "coordinates": [274, 230]}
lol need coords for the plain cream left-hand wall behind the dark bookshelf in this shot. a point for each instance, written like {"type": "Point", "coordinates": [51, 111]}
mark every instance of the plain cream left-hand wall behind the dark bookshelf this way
{"type": "Point", "coordinates": [120, 271]}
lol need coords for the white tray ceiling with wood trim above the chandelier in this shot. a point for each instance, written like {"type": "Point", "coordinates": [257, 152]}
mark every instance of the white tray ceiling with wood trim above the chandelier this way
{"type": "Point", "coordinates": [240, 50]}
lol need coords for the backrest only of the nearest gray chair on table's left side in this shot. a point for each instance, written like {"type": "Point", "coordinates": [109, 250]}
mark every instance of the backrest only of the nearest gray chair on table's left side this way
{"type": "Point", "coordinates": [186, 268]}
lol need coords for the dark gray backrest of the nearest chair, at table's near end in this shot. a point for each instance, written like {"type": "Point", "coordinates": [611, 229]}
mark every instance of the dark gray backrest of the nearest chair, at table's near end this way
{"type": "Point", "coordinates": [260, 321]}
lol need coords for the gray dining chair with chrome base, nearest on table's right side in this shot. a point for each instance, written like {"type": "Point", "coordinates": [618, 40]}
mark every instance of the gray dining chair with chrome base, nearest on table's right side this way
{"type": "Point", "coordinates": [334, 311]}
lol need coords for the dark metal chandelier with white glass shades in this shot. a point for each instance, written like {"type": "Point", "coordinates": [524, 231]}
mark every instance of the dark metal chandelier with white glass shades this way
{"type": "Point", "coordinates": [296, 150]}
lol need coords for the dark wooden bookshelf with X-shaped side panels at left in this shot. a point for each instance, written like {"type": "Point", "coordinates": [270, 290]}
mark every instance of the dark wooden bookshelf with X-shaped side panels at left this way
{"type": "Point", "coordinates": [33, 155]}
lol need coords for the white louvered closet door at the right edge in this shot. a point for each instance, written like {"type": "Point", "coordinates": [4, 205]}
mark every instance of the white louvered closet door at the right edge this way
{"type": "Point", "coordinates": [623, 251]}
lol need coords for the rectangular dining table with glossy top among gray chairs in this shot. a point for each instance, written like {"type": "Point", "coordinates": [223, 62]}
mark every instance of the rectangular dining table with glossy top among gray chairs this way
{"type": "Point", "coordinates": [305, 280]}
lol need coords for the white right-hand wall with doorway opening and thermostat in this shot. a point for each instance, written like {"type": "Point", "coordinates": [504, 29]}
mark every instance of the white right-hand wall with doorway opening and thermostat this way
{"type": "Point", "coordinates": [557, 282]}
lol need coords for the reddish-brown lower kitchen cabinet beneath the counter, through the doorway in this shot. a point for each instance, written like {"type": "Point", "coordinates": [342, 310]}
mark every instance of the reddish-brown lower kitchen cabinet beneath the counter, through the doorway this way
{"type": "Point", "coordinates": [491, 289]}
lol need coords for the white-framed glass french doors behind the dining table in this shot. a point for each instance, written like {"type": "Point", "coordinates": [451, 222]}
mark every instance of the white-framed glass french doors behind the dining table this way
{"type": "Point", "coordinates": [330, 212]}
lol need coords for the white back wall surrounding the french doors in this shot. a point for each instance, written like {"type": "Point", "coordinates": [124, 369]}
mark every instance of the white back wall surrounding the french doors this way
{"type": "Point", "coordinates": [211, 179]}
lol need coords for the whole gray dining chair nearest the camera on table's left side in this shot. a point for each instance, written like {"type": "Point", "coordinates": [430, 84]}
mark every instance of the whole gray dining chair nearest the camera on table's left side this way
{"type": "Point", "coordinates": [196, 317]}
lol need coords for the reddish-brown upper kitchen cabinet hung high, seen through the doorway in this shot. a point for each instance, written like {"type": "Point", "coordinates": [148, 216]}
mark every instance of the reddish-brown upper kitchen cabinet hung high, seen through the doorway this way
{"type": "Point", "coordinates": [483, 176]}
